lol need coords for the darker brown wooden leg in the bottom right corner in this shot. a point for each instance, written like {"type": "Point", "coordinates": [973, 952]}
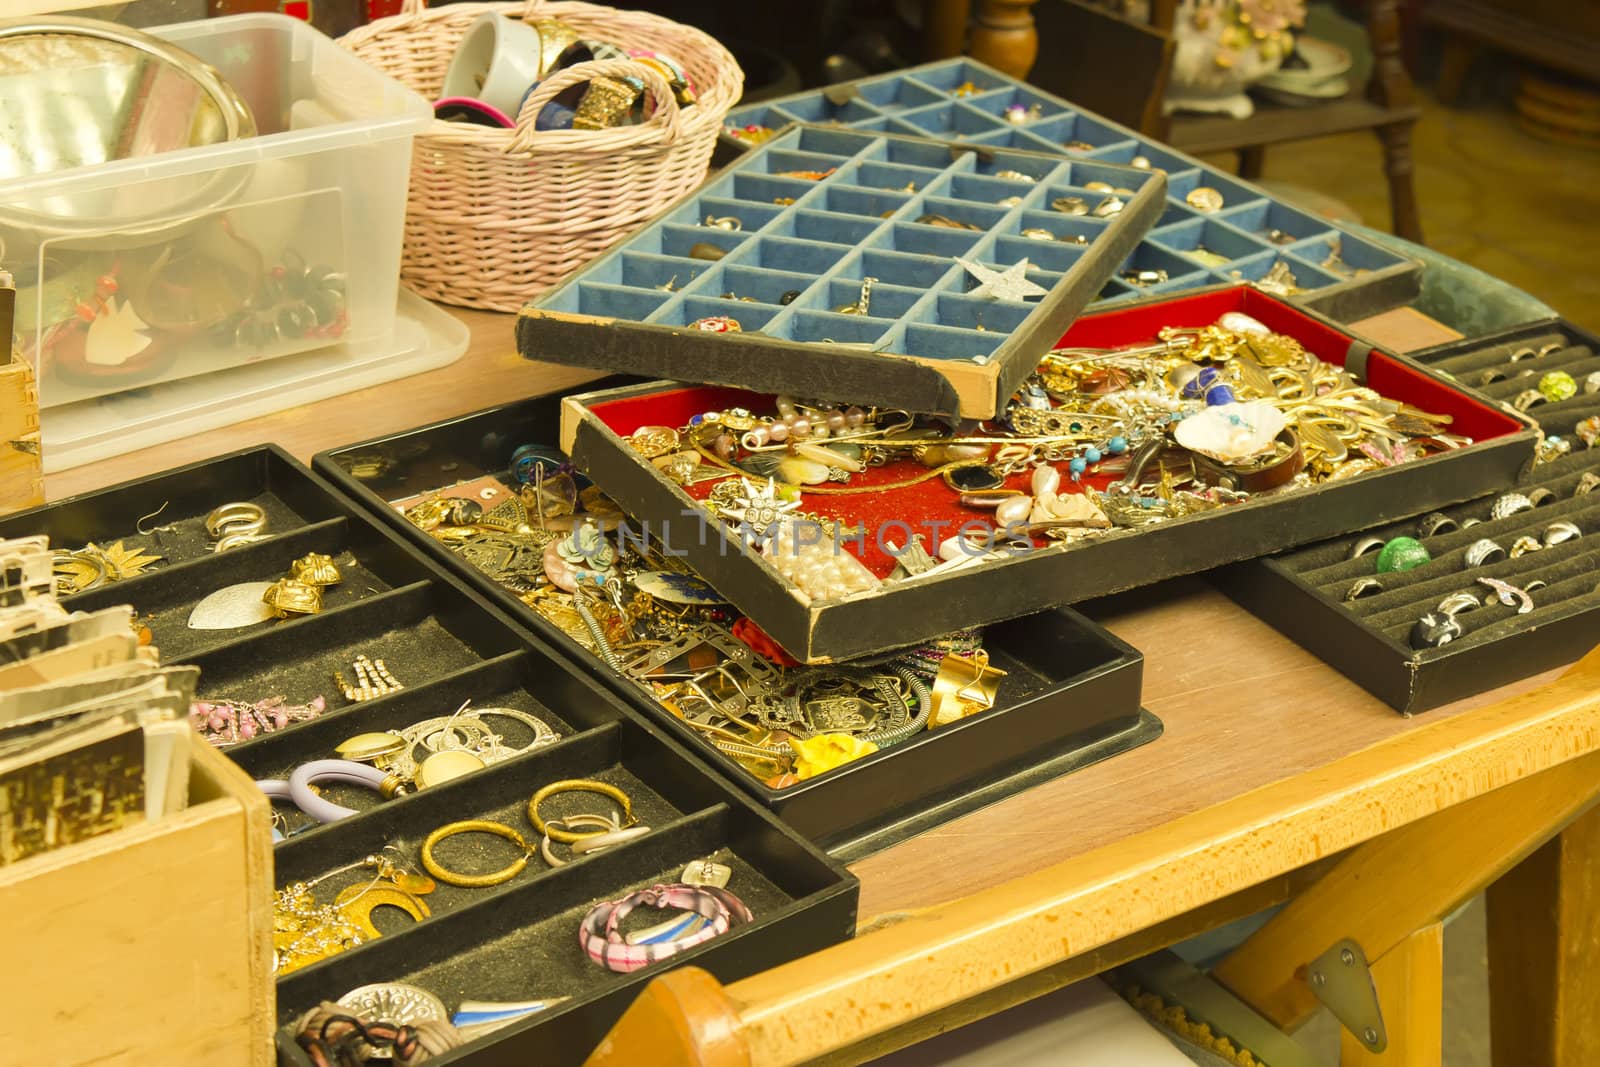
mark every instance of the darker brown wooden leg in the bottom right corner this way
{"type": "Point", "coordinates": [1545, 973]}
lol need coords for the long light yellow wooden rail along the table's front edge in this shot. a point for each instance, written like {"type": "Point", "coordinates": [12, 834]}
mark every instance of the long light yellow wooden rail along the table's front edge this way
{"type": "Point", "coordinates": [950, 954]}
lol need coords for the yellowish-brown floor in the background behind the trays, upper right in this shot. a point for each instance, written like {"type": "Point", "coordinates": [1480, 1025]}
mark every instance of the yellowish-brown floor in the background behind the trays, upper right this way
{"type": "Point", "coordinates": [1521, 209]}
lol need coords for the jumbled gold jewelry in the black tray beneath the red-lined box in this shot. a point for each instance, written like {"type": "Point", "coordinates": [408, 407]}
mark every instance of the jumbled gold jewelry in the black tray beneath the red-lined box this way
{"type": "Point", "coordinates": [665, 629]}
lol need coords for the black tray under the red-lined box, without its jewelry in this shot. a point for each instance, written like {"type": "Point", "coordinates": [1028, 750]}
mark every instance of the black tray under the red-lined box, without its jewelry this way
{"type": "Point", "coordinates": [1071, 697]}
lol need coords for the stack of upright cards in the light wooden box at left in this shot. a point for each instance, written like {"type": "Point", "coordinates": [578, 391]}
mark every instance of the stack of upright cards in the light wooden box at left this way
{"type": "Point", "coordinates": [94, 730]}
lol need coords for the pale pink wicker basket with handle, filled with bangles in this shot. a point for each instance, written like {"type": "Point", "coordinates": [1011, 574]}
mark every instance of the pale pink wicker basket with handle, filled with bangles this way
{"type": "Point", "coordinates": [497, 217]}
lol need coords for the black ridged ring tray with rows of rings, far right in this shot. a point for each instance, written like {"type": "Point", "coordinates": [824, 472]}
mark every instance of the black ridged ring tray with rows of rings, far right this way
{"type": "Point", "coordinates": [1369, 641]}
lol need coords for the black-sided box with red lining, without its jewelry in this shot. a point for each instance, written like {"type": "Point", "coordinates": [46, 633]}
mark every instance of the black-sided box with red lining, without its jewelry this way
{"type": "Point", "coordinates": [594, 426]}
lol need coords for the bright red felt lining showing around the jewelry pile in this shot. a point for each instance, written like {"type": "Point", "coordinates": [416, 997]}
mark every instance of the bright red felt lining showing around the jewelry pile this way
{"type": "Point", "coordinates": [932, 508]}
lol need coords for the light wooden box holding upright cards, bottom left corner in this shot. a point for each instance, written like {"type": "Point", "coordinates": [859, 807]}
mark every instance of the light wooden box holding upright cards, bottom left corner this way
{"type": "Point", "coordinates": [148, 946]}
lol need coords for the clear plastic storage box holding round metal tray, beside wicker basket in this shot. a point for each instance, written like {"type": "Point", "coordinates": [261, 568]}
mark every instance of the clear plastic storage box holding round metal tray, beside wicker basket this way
{"type": "Point", "coordinates": [223, 257]}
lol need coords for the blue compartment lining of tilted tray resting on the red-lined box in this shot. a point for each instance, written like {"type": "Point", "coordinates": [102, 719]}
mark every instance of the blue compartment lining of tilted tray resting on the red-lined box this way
{"type": "Point", "coordinates": [817, 241]}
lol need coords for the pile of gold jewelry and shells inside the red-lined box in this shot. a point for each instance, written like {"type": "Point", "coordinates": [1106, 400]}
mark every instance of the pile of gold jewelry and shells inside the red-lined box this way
{"type": "Point", "coordinates": [1201, 418]}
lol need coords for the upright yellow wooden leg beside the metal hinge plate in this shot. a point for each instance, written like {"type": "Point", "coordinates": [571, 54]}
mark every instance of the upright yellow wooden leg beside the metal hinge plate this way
{"type": "Point", "coordinates": [1410, 983]}
